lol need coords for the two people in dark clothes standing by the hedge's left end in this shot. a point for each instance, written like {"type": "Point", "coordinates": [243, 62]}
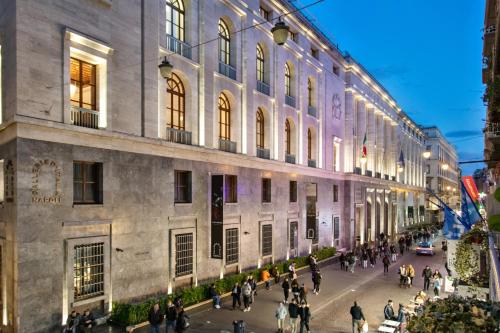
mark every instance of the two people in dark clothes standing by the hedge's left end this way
{"type": "Point", "coordinates": [174, 316]}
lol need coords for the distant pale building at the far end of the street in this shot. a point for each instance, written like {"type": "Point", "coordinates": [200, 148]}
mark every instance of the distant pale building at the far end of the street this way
{"type": "Point", "coordinates": [442, 173]}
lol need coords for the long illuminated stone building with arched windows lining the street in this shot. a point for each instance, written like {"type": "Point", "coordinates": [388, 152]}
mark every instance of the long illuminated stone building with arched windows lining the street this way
{"type": "Point", "coordinates": [119, 184]}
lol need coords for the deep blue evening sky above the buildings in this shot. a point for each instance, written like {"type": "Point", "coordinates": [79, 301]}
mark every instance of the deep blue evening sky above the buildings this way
{"type": "Point", "coordinates": [427, 54]}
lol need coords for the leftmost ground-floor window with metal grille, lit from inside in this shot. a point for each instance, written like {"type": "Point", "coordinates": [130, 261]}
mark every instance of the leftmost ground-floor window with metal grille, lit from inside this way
{"type": "Point", "coordinates": [88, 271]}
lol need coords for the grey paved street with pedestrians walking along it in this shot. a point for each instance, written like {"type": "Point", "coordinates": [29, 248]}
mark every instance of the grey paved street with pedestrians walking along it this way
{"type": "Point", "coordinates": [330, 310]}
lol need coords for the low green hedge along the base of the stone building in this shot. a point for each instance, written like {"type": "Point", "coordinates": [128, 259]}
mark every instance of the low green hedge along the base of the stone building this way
{"type": "Point", "coordinates": [135, 313]}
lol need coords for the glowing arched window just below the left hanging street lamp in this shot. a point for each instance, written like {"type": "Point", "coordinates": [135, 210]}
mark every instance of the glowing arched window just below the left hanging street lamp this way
{"type": "Point", "coordinates": [176, 102]}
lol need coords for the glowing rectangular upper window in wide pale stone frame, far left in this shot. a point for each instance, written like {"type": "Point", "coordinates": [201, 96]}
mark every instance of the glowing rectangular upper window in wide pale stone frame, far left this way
{"type": "Point", "coordinates": [83, 84]}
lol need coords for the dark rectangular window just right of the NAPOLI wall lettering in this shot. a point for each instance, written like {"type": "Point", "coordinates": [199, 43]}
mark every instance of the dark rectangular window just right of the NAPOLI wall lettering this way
{"type": "Point", "coordinates": [87, 183]}
